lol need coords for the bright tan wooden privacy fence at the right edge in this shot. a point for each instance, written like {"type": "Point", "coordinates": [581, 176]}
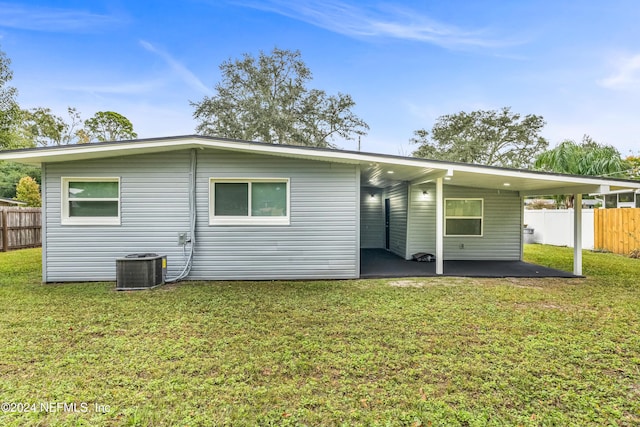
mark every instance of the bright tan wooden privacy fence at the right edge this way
{"type": "Point", "coordinates": [617, 230]}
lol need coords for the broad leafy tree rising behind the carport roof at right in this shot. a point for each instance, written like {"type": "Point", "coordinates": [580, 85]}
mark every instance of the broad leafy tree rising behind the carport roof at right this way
{"type": "Point", "coordinates": [486, 137]}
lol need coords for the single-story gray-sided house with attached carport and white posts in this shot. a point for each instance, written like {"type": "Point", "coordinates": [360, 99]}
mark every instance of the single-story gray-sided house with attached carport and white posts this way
{"type": "Point", "coordinates": [224, 209]}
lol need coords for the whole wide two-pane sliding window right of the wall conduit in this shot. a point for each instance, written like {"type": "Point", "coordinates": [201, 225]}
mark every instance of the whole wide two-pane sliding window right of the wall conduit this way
{"type": "Point", "coordinates": [249, 201]}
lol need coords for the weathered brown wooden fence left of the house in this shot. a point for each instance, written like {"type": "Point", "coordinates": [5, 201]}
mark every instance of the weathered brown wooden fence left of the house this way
{"type": "Point", "coordinates": [20, 228]}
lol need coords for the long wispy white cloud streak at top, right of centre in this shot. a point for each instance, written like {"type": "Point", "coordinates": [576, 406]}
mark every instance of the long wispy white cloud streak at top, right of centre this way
{"type": "Point", "coordinates": [384, 21]}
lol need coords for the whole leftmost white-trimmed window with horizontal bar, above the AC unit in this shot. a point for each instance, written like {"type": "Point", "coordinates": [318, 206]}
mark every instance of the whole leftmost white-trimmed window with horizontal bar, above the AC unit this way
{"type": "Point", "coordinates": [91, 201]}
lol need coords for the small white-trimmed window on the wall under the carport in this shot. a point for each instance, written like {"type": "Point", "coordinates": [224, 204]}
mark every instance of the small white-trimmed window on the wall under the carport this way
{"type": "Point", "coordinates": [463, 217]}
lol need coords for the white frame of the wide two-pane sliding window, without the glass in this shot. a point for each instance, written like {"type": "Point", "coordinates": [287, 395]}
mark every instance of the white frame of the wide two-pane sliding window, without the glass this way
{"type": "Point", "coordinates": [247, 220]}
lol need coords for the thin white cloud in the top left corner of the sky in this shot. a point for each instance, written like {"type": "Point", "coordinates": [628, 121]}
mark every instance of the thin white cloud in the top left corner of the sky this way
{"type": "Point", "coordinates": [48, 19]}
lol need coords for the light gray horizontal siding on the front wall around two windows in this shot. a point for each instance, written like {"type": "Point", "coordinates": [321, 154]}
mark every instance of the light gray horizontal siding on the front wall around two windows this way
{"type": "Point", "coordinates": [321, 240]}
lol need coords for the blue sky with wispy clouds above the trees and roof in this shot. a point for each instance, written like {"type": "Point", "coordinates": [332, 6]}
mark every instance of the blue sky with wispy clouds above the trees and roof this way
{"type": "Point", "coordinates": [576, 63]}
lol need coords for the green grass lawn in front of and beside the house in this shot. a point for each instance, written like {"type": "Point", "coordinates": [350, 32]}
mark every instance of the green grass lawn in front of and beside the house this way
{"type": "Point", "coordinates": [444, 351]}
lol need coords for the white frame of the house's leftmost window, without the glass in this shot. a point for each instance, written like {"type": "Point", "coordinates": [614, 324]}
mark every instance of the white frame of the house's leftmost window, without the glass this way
{"type": "Point", "coordinates": [66, 219]}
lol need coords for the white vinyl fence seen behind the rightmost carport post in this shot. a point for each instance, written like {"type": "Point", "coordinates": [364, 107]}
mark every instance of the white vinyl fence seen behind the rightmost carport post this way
{"type": "Point", "coordinates": [555, 227]}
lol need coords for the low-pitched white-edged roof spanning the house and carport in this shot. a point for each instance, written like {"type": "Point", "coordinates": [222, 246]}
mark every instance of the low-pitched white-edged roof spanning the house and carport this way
{"type": "Point", "coordinates": [377, 170]}
